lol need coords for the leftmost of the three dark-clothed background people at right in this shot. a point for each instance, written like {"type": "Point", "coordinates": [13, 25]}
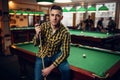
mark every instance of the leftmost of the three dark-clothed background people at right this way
{"type": "Point", "coordinates": [89, 23]}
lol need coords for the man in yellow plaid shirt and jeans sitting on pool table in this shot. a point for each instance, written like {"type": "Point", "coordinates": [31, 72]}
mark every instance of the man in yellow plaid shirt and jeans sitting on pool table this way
{"type": "Point", "coordinates": [55, 39]}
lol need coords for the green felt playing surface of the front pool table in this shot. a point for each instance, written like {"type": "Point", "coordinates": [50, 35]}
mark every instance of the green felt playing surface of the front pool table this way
{"type": "Point", "coordinates": [96, 61]}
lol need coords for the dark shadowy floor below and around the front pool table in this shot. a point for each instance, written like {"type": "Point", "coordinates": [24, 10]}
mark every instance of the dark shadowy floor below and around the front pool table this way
{"type": "Point", "coordinates": [10, 70]}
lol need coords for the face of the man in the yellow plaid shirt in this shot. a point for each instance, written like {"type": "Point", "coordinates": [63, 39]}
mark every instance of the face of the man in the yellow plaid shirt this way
{"type": "Point", "coordinates": [55, 17]}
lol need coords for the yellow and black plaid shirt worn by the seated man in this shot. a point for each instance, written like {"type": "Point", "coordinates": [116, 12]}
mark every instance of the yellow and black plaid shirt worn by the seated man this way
{"type": "Point", "coordinates": [53, 43]}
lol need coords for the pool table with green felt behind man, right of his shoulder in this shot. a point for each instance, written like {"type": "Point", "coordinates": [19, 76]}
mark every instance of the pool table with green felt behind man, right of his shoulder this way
{"type": "Point", "coordinates": [90, 38]}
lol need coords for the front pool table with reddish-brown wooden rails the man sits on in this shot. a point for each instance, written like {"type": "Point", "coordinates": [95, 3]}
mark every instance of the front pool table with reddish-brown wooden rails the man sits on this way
{"type": "Point", "coordinates": [98, 64]}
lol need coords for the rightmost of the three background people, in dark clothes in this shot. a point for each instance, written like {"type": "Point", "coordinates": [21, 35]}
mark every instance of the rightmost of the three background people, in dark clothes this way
{"type": "Point", "coordinates": [111, 25]}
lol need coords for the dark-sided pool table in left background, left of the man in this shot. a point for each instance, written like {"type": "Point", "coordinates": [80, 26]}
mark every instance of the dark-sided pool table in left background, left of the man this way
{"type": "Point", "coordinates": [23, 33]}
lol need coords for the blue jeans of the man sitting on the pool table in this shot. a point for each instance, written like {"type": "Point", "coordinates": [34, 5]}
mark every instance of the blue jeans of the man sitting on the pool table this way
{"type": "Point", "coordinates": [63, 67]}
